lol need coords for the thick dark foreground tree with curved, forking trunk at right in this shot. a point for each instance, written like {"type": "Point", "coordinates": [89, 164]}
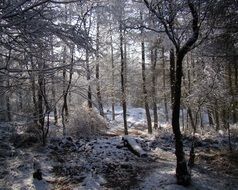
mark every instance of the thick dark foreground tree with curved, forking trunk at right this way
{"type": "Point", "coordinates": [177, 38]}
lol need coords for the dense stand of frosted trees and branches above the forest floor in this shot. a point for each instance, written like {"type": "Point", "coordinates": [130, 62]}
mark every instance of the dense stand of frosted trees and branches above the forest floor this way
{"type": "Point", "coordinates": [73, 63]}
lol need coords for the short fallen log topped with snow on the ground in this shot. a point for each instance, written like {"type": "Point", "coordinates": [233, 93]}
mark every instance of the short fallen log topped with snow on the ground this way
{"type": "Point", "coordinates": [133, 146]}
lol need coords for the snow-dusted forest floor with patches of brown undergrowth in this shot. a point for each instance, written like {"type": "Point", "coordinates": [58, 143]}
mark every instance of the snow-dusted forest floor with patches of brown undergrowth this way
{"type": "Point", "coordinates": [104, 162]}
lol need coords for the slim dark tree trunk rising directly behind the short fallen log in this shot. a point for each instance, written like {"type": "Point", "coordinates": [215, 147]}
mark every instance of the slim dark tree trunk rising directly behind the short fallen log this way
{"type": "Point", "coordinates": [123, 85]}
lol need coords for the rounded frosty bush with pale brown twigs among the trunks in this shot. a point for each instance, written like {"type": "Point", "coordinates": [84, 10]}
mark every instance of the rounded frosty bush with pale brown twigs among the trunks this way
{"type": "Point", "coordinates": [86, 122]}
